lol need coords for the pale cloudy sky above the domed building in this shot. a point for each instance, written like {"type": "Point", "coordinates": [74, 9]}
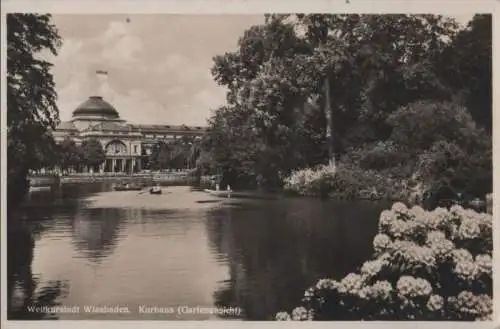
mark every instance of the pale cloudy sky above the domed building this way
{"type": "Point", "coordinates": [158, 65]}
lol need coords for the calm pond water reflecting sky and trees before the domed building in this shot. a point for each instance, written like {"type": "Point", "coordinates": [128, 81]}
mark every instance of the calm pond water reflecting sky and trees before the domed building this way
{"type": "Point", "coordinates": [177, 255]}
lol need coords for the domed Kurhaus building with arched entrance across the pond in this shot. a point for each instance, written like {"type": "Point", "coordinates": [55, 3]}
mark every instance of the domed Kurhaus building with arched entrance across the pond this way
{"type": "Point", "coordinates": [126, 144]}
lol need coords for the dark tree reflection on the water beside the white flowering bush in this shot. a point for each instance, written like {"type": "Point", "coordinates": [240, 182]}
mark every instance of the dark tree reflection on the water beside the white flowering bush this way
{"type": "Point", "coordinates": [274, 256]}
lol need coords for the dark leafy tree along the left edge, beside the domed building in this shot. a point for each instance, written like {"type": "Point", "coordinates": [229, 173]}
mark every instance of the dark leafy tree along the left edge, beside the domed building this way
{"type": "Point", "coordinates": [31, 98]}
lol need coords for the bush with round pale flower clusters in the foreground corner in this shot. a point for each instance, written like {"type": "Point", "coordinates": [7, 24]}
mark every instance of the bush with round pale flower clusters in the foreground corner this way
{"type": "Point", "coordinates": [427, 265]}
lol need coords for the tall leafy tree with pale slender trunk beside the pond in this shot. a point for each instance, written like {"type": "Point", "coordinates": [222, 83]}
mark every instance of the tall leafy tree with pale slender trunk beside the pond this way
{"type": "Point", "coordinates": [313, 89]}
